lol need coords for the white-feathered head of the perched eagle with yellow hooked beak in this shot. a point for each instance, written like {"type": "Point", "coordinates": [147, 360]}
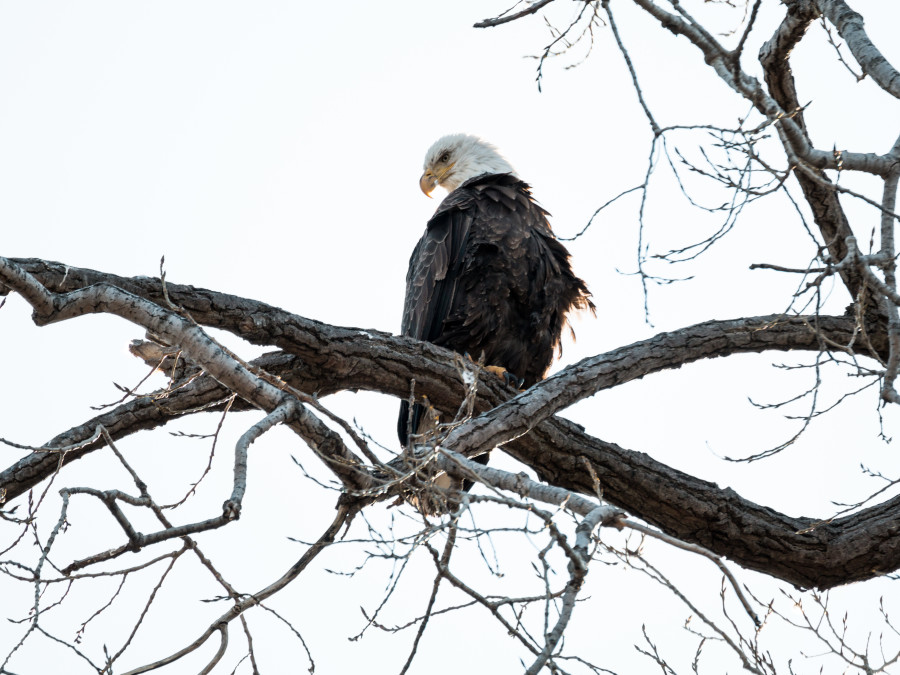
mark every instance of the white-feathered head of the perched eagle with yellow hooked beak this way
{"type": "Point", "coordinates": [454, 159]}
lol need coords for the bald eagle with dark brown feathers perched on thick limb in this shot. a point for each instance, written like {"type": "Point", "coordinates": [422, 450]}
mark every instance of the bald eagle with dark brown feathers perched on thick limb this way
{"type": "Point", "coordinates": [487, 278]}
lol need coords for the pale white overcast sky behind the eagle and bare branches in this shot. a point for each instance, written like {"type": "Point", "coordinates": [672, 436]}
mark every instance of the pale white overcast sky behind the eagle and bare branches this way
{"type": "Point", "coordinates": [272, 150]}
